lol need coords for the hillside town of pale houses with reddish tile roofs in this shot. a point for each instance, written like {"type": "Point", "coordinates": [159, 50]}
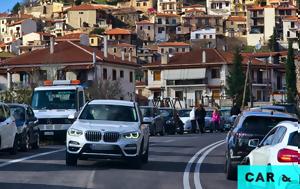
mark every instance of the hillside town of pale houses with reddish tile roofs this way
{"type": "Point", "coordinates": [157, 48]}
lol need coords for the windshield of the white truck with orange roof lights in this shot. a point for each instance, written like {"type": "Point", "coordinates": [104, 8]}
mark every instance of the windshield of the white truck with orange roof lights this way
{"type": "Point", "coordinates": [54, 99]}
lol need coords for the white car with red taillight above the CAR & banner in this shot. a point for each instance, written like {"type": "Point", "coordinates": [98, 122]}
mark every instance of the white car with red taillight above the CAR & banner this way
{"type": "Point", "coordinates": [279, 147]}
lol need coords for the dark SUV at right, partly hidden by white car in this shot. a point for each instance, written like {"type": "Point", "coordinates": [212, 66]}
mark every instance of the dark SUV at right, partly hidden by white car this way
{"type": "Point", "coordinates": [249, 125]}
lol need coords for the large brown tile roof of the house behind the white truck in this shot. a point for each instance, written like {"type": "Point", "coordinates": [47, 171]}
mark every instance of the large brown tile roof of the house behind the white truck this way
{"type": "Point", "coordinates": [64, 53]}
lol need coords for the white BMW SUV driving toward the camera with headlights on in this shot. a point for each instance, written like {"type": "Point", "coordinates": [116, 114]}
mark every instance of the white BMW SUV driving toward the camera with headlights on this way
{"type": "Point", "coordinates": [108, 129]}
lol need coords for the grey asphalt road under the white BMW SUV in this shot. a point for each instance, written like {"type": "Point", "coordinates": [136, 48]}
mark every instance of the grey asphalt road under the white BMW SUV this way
{"type": "Point", "coordinates": [174, 163]}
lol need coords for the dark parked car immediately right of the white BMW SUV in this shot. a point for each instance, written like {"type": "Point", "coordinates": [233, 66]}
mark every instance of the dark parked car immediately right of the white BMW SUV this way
{"type": "Point", "coordinates": [152, 116]}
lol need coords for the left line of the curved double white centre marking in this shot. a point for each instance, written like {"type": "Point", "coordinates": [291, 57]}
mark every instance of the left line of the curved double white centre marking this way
{"type": "Point", "coordinates": [186, 180]}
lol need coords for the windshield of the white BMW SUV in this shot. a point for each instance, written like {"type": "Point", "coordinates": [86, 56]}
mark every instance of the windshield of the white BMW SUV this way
{"type": "Point", "coordinates": [109, 113]}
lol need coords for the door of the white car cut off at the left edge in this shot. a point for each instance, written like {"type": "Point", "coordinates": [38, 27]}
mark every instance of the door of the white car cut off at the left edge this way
{"type": "Point", "coordinates": [10, 127]}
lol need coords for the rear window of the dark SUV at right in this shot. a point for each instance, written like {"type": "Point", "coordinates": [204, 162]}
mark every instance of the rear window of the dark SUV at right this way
{"type": "Point", "coordinates": [261, 125]}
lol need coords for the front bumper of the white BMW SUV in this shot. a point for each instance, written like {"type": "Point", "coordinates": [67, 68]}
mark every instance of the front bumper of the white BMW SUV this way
{"type": "Point", "coordinates": [101, 150]}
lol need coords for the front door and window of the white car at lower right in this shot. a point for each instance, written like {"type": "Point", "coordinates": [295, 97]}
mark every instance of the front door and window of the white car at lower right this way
{"type": "Point", "coordinates": [260, 155]}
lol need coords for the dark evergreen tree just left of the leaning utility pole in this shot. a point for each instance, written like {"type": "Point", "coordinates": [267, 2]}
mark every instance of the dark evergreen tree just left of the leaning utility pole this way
{"type": "Point", "coordinates": [236, 79]}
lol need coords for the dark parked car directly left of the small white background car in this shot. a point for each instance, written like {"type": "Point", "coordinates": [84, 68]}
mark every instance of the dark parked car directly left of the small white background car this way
{"type": "Point", "coordinates": [172, 120]}
